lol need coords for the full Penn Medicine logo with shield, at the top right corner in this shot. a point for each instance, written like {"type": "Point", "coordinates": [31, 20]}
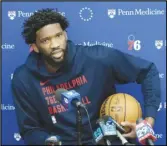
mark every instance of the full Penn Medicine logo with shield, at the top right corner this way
{"type": "Point", "coordinates": [138, 12]}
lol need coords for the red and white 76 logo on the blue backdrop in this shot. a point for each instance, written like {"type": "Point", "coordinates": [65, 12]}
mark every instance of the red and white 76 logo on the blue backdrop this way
{"type": "Point", "coordinates": [133, 44]}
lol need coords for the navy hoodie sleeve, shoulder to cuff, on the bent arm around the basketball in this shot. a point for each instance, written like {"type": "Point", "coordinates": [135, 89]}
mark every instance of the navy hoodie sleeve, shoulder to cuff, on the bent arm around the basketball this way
{"type": "Point", "coordinates": [127, 68]}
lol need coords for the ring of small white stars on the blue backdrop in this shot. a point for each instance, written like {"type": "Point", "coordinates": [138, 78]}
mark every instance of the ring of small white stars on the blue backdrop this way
{"type": "Point", "coordinates": [86, 14]}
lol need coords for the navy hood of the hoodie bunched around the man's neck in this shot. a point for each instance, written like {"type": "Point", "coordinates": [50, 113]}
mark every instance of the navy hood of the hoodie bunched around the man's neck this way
{"type": "Point", "coordinates": [35, 62]}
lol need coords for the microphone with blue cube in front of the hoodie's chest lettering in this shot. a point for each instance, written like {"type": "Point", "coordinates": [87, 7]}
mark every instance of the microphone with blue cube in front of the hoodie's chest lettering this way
{"type": "Point", "coordinates": [65, 97]}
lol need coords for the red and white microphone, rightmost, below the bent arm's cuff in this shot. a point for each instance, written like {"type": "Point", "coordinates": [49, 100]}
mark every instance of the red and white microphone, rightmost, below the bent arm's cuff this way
{"type": "Point", "coordinates": [144, 132]}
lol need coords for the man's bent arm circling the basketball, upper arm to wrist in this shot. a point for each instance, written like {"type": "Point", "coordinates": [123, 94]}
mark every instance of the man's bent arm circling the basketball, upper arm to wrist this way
{"type": "Point", "coordinates": [128, 68]}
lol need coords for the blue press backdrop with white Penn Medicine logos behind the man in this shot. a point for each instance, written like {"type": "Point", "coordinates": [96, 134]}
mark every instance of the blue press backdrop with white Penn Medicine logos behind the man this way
{"type": "Point", "coordinates": [138, 28]}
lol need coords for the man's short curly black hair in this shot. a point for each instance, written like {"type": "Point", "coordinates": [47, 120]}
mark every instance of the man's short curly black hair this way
{"type": "Point", "coordinates": [38, 20]}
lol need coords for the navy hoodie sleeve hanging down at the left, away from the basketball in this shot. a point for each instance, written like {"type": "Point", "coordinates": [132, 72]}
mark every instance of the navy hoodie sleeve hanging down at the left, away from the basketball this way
{"type": "Point", "coordinates": [27, 116]}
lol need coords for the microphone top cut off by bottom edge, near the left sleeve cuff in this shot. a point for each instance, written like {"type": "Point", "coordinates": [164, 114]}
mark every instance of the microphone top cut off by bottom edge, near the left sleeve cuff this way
{"type": "Point", "coordinates": [53, 140]}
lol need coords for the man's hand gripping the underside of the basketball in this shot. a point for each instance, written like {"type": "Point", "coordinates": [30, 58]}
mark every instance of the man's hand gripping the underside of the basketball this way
{"type": "Point", "coordinates": [132, 126]}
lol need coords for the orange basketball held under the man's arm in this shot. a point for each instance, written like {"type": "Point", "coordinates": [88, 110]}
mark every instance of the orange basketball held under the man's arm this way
{"type": "Point", "coordinates": [121, 107]}
